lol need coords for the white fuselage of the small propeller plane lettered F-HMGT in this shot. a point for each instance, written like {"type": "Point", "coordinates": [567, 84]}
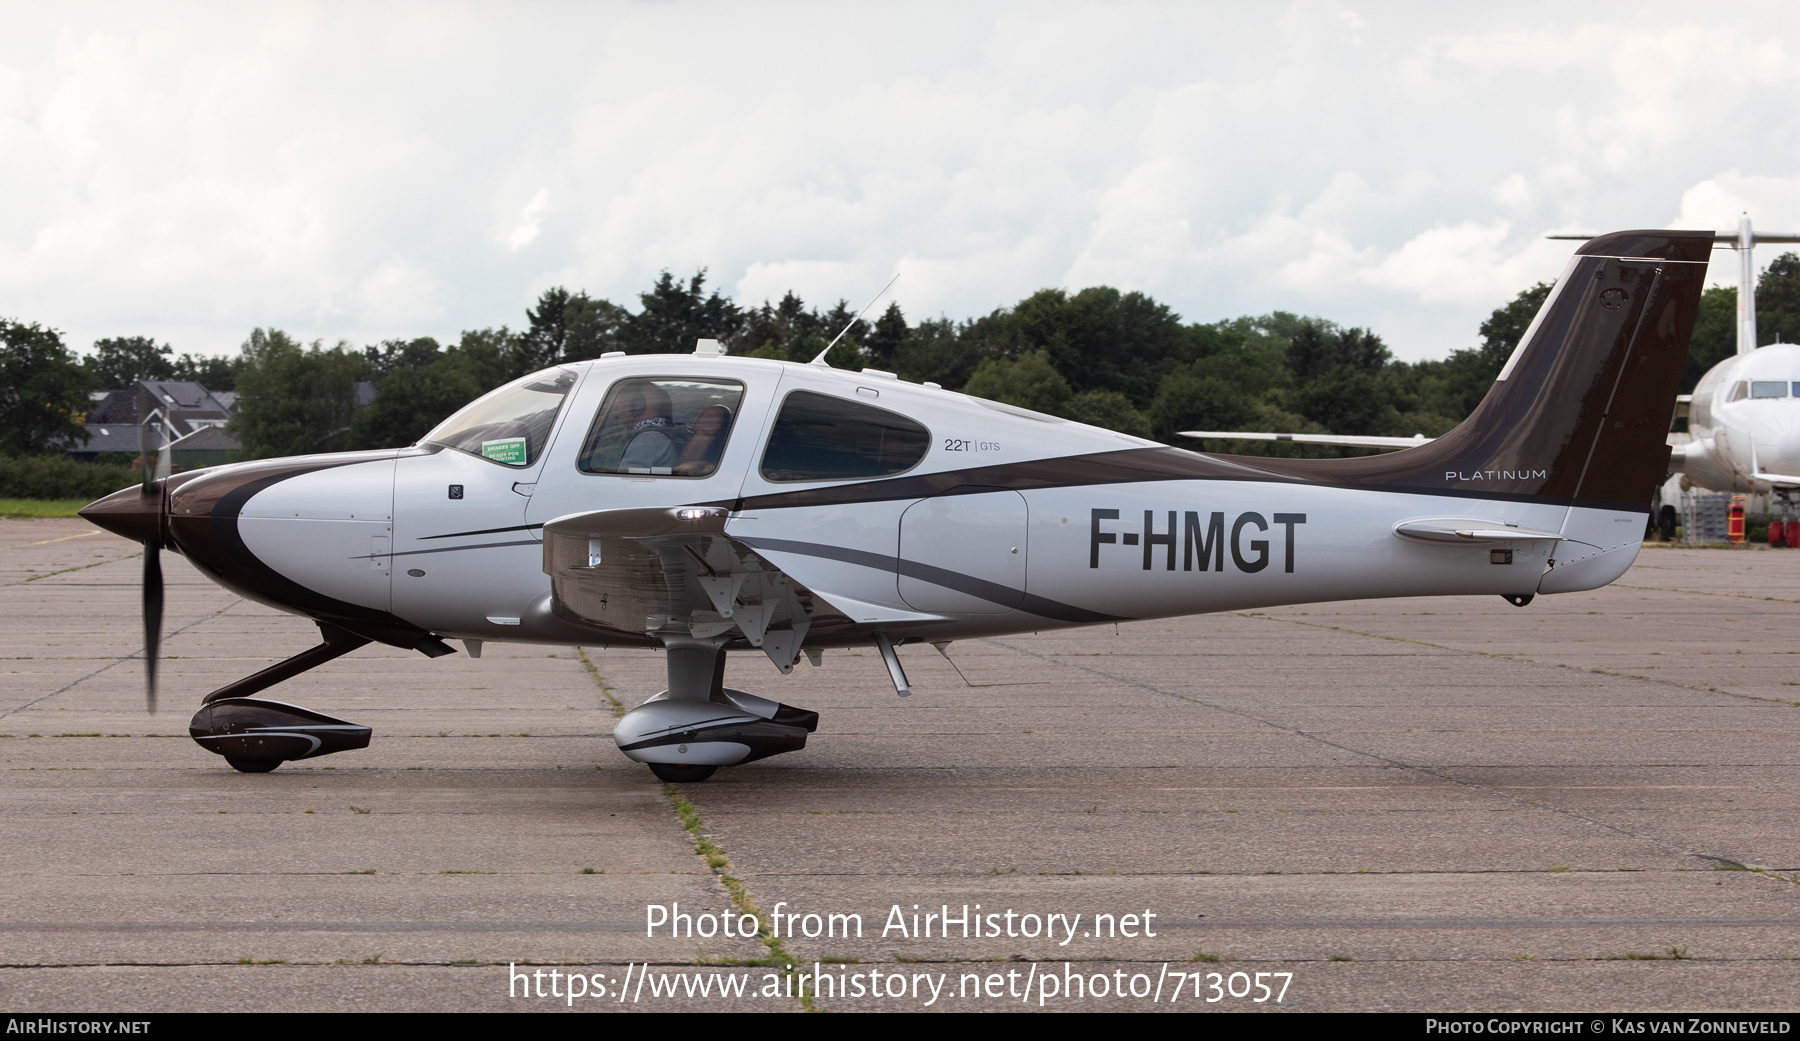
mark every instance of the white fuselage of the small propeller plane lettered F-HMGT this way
{"type": "Point", "coordinates": [453, 543]}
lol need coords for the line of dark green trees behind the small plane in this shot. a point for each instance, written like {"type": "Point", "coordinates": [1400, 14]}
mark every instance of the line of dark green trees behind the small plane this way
{"type": "Point", "coordinates": [1099, 356]}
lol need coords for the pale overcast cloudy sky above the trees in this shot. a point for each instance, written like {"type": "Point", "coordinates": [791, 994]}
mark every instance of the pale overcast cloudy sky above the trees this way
{"type": "Point", "coordinates": [379, 170]}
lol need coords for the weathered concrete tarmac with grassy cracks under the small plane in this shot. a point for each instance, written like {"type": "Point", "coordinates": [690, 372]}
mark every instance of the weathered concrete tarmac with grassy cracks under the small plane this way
{"type": "Point", "coordinates": [1412, 806]}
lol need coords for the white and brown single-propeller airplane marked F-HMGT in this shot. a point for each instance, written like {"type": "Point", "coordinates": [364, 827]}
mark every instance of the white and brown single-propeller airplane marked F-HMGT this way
{"type": "Point", "coordinates": [703, 503]}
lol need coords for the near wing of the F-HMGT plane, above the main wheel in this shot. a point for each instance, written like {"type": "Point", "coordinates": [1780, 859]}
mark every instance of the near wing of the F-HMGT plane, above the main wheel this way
{"type": "Point", "coordinates": [647, 575]}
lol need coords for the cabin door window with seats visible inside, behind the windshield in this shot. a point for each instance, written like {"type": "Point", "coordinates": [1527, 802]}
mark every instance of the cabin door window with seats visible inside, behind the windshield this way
{"type": "Point", "coordinates": [663, 428]}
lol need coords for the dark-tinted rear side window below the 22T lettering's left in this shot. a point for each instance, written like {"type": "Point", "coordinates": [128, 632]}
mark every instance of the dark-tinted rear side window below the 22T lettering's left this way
{"type": "Point", "coordinates": [822, 439]}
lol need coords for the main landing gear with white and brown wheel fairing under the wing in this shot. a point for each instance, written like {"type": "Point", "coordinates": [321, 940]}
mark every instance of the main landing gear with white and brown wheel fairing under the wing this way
{"type": "Point", "coordinates": [697, 725]}
